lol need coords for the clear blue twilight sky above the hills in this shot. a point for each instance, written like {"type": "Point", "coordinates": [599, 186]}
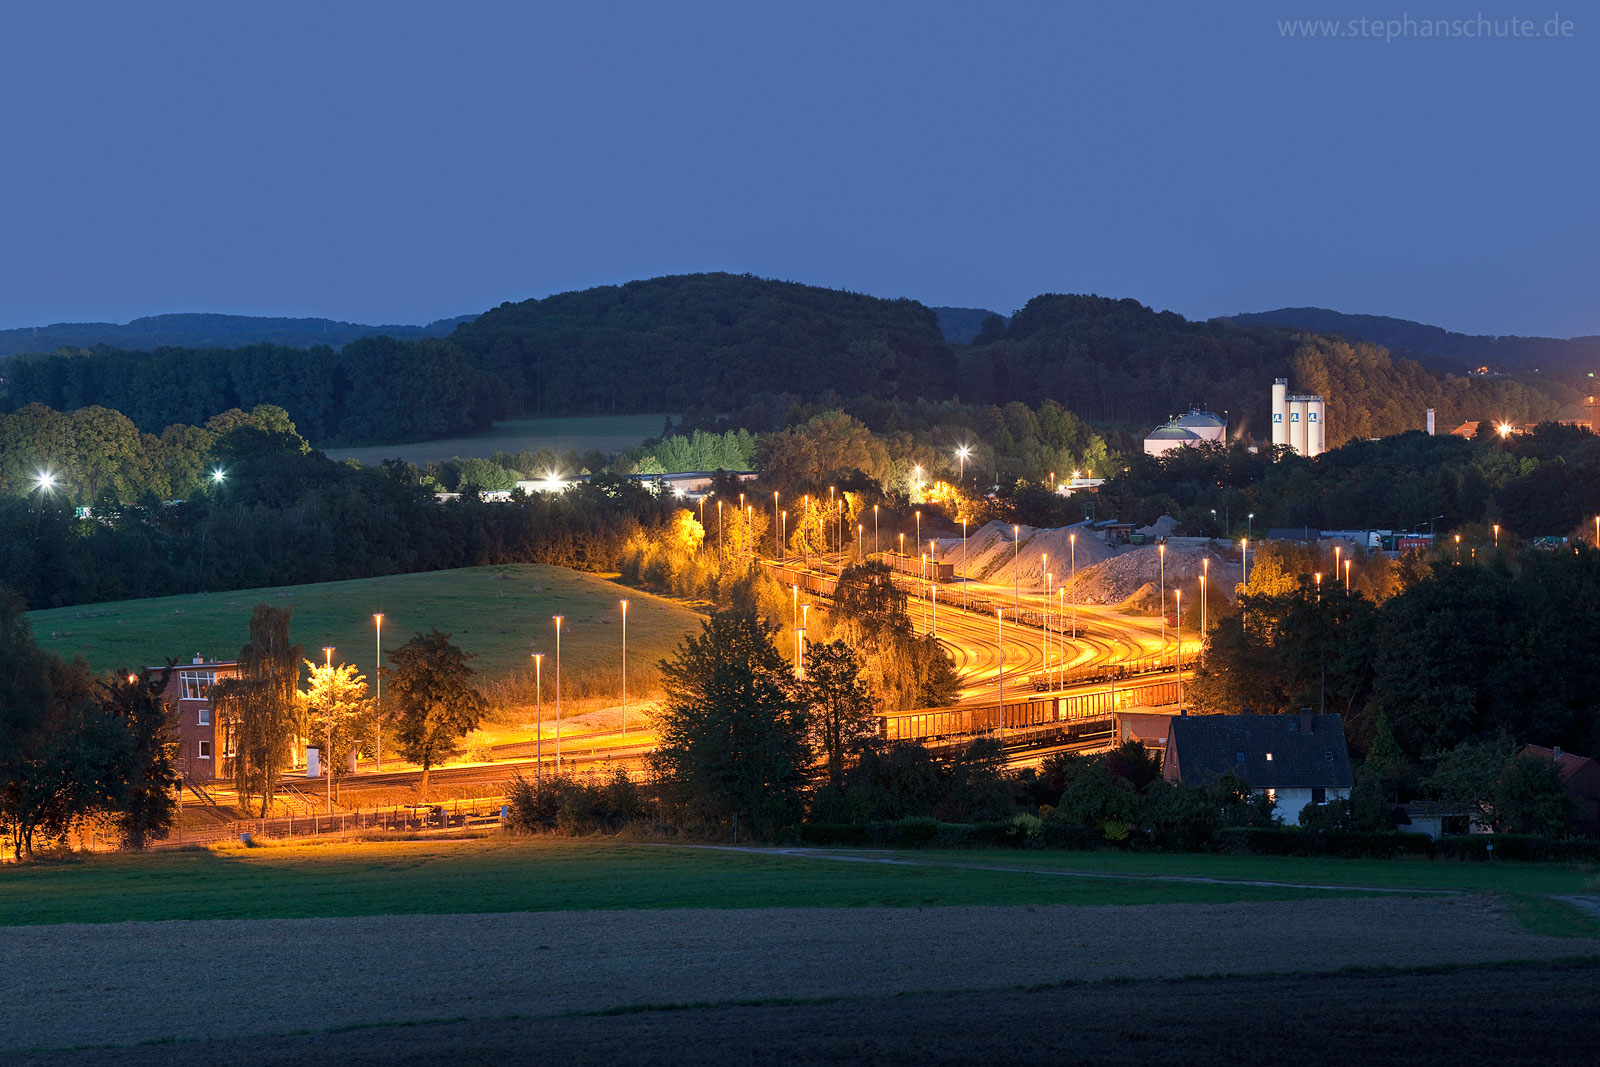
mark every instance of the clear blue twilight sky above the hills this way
{"type": "Point", "coordinates": [402, 162]}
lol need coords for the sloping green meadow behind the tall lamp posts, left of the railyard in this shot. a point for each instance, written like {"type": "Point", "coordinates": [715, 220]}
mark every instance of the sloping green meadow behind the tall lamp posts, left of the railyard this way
{"type": "Point", "coordinates": [500, 613]}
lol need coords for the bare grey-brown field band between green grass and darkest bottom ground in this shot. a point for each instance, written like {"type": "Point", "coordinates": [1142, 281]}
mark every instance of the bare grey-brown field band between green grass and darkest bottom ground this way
{"type": "Point", "coordinates": [223, 980]}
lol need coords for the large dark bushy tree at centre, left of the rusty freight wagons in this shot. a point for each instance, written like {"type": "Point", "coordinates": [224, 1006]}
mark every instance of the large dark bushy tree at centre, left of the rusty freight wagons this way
{"type": "Point", "coordinates": [732, 732]}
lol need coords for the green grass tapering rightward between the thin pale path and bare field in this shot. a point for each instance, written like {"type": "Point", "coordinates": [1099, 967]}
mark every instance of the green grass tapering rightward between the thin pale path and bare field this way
{"type": "Point", "coordinates": [529, 876]}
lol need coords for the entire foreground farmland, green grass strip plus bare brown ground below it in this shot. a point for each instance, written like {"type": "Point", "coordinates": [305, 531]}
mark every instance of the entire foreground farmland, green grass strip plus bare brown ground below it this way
{"type": "Point", "coordinates": [593, 951]}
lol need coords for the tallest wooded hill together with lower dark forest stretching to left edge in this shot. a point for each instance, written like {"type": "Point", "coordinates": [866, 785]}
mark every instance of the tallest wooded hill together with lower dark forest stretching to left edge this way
{"type": "Point", "coordinates": [706, 342]}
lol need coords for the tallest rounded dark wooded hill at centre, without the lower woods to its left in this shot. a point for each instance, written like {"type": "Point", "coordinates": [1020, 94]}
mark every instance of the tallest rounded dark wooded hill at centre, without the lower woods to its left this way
{"type": "Point", "coordinates": [703, 342]}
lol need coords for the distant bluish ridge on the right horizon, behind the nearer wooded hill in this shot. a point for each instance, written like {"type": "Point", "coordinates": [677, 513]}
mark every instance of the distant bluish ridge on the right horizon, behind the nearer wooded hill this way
{"type": "Point", "coordinates": [1431, 345]}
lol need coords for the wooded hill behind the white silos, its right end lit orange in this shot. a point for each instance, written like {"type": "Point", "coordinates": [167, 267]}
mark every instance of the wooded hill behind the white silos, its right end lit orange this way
{"type": "Point", "coordinates": [1119, 362]}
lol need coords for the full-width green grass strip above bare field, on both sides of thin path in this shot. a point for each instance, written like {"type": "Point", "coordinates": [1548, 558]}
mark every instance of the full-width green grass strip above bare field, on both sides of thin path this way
{"type": "Point", "coordinates": [521, 874]}
